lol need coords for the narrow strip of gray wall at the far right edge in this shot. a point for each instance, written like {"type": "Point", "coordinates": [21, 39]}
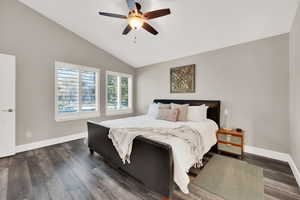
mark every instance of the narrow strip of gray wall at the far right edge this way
{"type": "Point", "coordinates": [294, 90]}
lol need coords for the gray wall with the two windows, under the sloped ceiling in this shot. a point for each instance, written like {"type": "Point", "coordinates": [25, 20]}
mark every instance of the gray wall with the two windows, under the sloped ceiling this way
{"type": "Point", "coordinates": [37, 42]}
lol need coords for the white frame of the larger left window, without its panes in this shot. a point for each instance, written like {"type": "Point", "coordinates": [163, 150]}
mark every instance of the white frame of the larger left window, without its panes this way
{"type": "Point", "coordinates": [60, 117]}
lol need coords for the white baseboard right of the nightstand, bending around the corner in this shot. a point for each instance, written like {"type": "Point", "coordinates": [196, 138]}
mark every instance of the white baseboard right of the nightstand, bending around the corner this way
{"type": "Point", "coordinates": [275, 155]}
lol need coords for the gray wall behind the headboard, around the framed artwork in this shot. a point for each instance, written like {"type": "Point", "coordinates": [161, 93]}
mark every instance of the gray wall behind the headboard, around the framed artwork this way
{"type": "Point", "coordinates": [251, 80]}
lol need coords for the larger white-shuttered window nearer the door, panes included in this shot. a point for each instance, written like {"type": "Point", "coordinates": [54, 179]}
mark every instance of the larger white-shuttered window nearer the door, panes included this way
{"type": "Point", "coordinates": [76, 92]}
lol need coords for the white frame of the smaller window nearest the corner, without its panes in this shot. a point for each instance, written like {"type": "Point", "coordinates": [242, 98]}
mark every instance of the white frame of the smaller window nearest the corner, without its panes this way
{"type": "Point", "coordinates": [119, 111]}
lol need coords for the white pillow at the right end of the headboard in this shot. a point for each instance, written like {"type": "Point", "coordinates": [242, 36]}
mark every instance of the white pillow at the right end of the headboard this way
{"type": "Point", "coordinates": [197, 113]}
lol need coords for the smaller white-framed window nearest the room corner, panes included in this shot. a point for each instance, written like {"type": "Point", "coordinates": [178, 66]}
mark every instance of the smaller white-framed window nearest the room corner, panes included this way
{"type": "Point", "coordinates": [118, 93]}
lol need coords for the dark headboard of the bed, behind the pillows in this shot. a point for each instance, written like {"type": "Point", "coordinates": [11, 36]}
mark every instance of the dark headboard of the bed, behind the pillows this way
{"type": "Point", "coordinates": [213, 111]}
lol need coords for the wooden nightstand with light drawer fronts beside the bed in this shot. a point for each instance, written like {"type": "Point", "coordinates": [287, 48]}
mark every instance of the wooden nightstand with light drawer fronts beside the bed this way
{"type": "Point", "coordinates": [231, 142]}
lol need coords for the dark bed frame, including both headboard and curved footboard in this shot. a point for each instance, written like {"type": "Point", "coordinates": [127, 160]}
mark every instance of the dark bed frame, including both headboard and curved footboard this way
{"type": "Point", "coordinates": [151, 161]}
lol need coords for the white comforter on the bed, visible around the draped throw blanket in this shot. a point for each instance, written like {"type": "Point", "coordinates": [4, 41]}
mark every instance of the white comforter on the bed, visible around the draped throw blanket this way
{"type": "Point", "coordinates": [183, 158]}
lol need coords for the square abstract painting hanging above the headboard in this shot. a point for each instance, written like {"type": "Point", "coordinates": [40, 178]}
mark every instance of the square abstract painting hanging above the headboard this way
{"type": "Point", "coordinates": [182, 79]}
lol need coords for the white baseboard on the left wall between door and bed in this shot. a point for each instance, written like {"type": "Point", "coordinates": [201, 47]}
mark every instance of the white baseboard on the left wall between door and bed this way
{"type": "Point", "coordinates": [49, 142]}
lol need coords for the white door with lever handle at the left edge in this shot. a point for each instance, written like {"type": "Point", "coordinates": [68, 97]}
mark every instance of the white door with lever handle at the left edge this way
{"type": "Point", "coordinates": [7, 105]}
